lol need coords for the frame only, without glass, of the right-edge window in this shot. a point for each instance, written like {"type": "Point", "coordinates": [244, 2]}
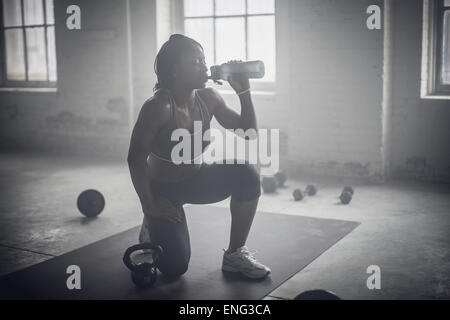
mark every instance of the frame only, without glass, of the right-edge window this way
{"type": "Point", "coordinates": [433, 21]}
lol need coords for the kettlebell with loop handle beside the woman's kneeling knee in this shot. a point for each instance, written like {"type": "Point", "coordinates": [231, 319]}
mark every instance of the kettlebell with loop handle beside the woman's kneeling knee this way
{"type": "Point", "coordinates": [143, 274]}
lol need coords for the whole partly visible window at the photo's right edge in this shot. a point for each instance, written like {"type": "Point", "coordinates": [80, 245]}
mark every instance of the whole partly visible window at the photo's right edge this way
{"type": "Point", "coordinates": [436, 50]}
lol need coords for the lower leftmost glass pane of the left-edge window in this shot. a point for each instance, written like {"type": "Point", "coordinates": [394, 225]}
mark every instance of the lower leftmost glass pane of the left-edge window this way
{"type": "Point", "coordinates": [15, 62]}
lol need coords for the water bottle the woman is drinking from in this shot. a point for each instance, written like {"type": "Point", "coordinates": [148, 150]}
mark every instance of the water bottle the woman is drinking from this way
{"type": "Point", "coordinates": [250, 69]}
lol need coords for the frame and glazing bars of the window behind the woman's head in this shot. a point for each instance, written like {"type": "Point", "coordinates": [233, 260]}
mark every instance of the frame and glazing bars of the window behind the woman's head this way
{"type": "Point", "coordinates": [257, 85]}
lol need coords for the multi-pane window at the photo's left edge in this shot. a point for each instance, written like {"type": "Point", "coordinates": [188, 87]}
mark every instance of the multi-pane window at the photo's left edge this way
{"type": "Point", "coordinates": [28, 43]}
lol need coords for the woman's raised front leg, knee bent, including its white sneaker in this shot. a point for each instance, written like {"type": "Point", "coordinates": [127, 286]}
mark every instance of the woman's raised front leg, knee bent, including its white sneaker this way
{"type": "Point", "coordinates": [216, 182]}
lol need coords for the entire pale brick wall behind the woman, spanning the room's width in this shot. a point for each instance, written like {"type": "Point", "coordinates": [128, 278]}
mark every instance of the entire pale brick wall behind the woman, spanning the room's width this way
{"type": "Point", "coordinates": [328, 102]}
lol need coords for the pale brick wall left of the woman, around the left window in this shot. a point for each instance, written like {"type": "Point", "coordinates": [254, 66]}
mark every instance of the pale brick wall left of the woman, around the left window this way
{"type": "Point", "coordinates": [90, 112]}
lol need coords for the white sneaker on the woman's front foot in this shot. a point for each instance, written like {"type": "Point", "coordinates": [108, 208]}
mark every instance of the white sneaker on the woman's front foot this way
{"type": "Point", "coordinates": [242, 261]}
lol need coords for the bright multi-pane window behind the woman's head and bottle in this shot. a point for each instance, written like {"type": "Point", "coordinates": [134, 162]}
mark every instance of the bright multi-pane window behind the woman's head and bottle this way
{"type": "Point", "coordinates": [234, 30]}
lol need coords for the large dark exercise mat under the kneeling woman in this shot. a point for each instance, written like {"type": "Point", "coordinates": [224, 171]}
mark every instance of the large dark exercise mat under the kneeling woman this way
{"type": "Point", "coordinates": [286, 243]}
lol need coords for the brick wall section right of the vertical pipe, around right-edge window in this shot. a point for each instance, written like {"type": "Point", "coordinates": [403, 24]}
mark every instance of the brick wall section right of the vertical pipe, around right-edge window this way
{"type": "Point", "coordinates": [420, 127]}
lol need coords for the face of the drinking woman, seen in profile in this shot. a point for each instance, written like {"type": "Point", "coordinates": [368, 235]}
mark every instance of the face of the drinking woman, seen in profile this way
{"type": "Point", "coordinates": [191, 70]}
